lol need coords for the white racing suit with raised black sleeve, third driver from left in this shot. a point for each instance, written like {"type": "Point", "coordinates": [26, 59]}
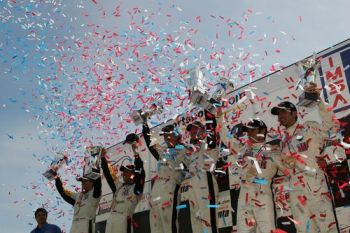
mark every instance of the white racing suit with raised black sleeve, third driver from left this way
{"type": "Point", "coordinates": [164, 194]}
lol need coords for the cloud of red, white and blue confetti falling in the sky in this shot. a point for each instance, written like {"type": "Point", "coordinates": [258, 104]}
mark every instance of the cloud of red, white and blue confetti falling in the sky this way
{"type": "Point", "coordinates": [87, 75]}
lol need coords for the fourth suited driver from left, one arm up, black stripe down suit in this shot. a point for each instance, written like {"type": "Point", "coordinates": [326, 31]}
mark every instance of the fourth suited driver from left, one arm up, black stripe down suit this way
{"type": "Point", "coordinates": [201, 189]}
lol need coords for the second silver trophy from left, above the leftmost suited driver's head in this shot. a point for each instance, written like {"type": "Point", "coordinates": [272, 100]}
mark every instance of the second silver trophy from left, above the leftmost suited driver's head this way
{"type": "Point", "coordinates": [92, 163]}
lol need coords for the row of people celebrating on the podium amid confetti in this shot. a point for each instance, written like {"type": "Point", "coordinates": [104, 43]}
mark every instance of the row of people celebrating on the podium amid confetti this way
{"type": "Point", "coordinates": [187, 172]}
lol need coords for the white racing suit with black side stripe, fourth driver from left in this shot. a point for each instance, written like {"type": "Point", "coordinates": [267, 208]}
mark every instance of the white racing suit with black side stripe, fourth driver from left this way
{"type": "Point", "coordinates": [201, 190]}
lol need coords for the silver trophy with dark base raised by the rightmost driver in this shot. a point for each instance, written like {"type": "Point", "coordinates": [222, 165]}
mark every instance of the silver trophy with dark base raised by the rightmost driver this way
{"type": "Point", "coordinates": [308, 73]}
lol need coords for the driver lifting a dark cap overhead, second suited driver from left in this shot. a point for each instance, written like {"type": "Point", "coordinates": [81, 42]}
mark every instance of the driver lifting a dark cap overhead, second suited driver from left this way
{"type": "Point", "coordinates": [127, 194]}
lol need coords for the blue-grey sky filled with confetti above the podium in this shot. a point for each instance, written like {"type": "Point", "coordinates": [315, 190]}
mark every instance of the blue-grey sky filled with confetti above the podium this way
{"type": "Point", "coordinates": [42, 71]}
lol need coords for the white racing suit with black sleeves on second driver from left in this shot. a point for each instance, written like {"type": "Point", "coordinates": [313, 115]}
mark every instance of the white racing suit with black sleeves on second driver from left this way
{"type": "Point", "coordinates": [125, 197]}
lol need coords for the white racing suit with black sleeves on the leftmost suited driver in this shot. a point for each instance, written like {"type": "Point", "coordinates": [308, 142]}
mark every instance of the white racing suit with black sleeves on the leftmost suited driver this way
{"type": "Point", "coordinates": [84, 204]}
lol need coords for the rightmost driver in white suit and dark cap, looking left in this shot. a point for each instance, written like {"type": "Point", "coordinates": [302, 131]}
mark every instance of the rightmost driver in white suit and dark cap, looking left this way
{"type": "Point", "coordinates": [301, 148]}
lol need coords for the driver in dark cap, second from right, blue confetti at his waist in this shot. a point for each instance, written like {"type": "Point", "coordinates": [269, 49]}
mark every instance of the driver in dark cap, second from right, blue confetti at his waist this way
{"type": "Point", "coordinates": [255, 163]}
